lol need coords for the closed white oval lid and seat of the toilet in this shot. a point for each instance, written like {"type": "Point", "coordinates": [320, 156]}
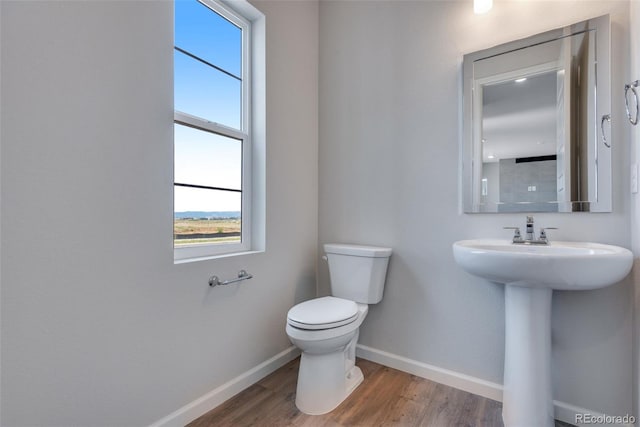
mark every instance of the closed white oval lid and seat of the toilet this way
{"type": "Point", "coordinates": [323, 313]}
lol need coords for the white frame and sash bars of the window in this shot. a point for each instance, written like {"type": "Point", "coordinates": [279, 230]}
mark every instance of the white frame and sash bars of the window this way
{"type": "Point", "coordinates": [244, 136]}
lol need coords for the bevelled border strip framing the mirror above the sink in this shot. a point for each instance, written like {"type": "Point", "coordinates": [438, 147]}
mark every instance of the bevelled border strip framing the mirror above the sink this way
{"type": "Point", "coordinates": [599, 193]}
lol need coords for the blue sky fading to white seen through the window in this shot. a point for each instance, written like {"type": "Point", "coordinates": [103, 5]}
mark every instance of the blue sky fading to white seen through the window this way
{"type": "Point", "coordinates": [201, 90]}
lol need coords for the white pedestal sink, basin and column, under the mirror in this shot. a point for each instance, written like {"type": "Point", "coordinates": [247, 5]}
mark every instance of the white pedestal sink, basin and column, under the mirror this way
{"type": "Point", "coordinates": [530, 274]}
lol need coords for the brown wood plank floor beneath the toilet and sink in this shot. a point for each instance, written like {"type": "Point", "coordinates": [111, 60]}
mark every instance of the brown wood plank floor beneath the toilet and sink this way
{"type": "Point", "coordinates": [386, 397]}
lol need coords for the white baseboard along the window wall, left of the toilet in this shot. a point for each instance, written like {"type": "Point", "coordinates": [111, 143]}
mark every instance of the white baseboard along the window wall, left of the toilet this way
{"type": "Point", "coordinates": [219, 395]}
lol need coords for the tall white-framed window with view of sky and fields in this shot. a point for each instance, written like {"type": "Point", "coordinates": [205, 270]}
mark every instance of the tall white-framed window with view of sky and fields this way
{"type": "Point", "coordinates": [213, 138]}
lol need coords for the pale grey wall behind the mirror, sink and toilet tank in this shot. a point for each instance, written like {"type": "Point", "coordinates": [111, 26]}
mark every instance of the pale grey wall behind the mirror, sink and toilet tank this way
{"type": "Point", "coordinates": [389, 157]}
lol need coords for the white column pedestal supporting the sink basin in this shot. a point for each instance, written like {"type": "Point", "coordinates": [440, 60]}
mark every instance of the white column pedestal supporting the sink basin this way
{"type": "Point", "coordinates": [526, 397]}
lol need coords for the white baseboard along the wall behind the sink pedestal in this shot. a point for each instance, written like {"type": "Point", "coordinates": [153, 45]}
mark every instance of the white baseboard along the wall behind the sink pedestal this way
{"type": "Point", "coordinates": [562, 411]}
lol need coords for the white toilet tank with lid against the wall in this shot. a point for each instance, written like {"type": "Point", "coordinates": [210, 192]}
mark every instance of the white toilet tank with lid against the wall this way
{"type": "Point", "coordinates": [357, 272]}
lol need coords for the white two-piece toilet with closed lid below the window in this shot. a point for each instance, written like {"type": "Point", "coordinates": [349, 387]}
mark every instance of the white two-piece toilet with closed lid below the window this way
{"type": "Point", "coordinates": [326, 329]}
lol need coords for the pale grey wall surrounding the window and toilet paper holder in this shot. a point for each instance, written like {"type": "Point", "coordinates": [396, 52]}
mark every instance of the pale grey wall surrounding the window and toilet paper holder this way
{"type": "Point", "coordinates": [99, 327]}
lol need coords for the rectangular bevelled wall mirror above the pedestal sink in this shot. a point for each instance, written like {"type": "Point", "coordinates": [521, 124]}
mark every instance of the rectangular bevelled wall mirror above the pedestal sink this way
{"type": "Point", "coordinates": [536, 124]}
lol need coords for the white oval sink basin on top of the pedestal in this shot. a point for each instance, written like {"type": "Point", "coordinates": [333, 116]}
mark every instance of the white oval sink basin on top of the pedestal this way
{"type": "Point", "coordinates": [559, 265]}
